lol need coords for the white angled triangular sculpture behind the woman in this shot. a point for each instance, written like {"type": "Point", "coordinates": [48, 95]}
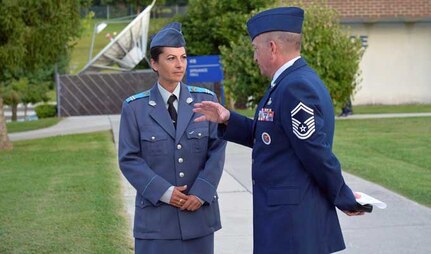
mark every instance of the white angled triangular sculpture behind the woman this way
{"type": "Point", "coordinates": [127, 49]}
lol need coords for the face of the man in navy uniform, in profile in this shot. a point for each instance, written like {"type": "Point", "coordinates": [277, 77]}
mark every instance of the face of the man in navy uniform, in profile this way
{"type": "Point", "coordinates": [262, 54]}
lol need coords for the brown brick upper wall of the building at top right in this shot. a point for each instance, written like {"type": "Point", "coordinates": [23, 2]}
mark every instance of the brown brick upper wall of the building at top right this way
{"type": "Point", "coordinates": [412, 10]}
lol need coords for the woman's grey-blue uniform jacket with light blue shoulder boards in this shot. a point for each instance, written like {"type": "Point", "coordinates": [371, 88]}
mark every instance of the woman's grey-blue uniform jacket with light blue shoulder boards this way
{"type": "Point", "coordinates": [153, 156]}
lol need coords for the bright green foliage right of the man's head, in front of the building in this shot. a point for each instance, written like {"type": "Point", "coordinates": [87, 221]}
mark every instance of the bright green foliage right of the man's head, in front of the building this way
{"type": "Point", "coordinates": [330, 51]}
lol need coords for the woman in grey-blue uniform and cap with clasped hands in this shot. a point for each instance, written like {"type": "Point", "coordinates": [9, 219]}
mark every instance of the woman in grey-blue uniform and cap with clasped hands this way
{"type": "Point", "coordinates": [173, 162]}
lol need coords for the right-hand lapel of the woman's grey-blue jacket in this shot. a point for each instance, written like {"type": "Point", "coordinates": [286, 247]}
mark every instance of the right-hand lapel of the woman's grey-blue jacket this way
{"type": "Point", "coordinates": [185, 111]}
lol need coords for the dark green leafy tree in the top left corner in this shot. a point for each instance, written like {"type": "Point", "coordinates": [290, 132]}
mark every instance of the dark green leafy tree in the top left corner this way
{"type": "Point", "coordinates": [34, 37]}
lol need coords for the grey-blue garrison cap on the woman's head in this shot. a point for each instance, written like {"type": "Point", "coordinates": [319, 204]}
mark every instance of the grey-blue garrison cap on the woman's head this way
{"type": "Point", "coordinates": [169, 36]}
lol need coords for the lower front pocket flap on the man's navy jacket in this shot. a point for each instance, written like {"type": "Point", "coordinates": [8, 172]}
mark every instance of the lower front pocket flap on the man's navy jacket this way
{"type": "Point", "coordinates": [283, 196]}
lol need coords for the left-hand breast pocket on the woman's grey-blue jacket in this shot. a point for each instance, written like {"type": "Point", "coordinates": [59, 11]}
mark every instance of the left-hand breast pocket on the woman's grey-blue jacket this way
{"type": "Point", "coordinates": [154, 143]}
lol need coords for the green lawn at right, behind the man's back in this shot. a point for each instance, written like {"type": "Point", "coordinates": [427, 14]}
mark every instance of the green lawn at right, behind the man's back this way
{"type": "Point", "coordinates": [394, 153]}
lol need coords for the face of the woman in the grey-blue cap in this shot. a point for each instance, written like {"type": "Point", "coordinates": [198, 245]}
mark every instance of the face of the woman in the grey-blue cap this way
{"type": "Point", "coordinates": [171, 65]}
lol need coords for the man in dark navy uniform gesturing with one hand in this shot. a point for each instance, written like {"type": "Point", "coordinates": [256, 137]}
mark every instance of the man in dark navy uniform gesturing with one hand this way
{"type": "Point", "coordinates": [297, 180]}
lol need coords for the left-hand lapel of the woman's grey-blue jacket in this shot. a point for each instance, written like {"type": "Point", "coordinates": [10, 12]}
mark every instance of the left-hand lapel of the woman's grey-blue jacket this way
{"type": "Point", "coordinates": [159, 112]}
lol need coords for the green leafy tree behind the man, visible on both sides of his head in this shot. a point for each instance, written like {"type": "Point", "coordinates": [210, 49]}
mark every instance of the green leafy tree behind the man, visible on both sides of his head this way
{"type": "Point", "coordinates": [325, 45]}
